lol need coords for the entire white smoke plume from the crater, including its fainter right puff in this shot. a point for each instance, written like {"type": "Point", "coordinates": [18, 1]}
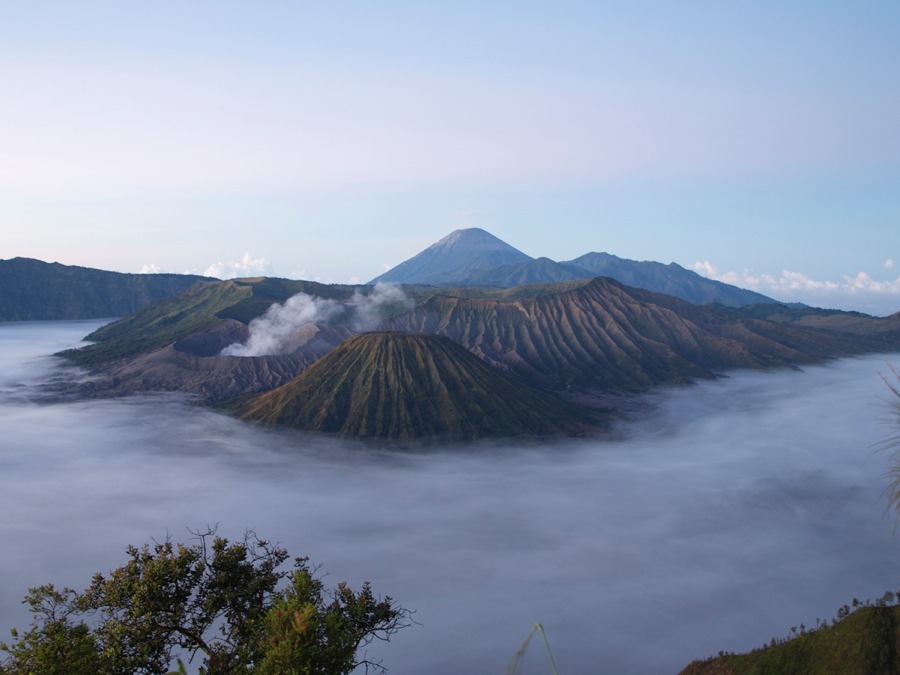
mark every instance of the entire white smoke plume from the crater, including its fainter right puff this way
{"type": "Point", "coordinates": [272, 332]}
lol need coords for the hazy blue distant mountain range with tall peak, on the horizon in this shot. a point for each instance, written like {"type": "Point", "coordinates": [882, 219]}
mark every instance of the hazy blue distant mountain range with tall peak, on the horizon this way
{"type": "Point", "coordinates": [473, 257]}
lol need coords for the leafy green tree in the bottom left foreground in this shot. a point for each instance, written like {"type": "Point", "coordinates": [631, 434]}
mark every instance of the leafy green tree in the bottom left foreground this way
{"type": "Point", "coordinates": [215, 599]}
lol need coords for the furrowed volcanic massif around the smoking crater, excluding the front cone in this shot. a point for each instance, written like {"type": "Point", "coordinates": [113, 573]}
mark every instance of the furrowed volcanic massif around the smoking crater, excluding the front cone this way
{"type": "Point", "coordinates": [595, 335]}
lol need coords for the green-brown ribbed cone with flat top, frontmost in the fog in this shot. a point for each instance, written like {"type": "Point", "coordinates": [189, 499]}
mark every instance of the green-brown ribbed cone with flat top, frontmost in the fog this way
{"type": "Point", "coordinates": [404, 387]}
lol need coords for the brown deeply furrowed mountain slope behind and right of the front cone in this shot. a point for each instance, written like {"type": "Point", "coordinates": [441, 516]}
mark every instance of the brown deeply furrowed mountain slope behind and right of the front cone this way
{"type": "Point", "coordinates": [604, 335]}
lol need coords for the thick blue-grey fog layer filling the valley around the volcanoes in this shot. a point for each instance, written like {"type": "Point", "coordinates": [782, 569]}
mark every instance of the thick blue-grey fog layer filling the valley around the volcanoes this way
{"type": "Point", "coordinates": [733, 511]}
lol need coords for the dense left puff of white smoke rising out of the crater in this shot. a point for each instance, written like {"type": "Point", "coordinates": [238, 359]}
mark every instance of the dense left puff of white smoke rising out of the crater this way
{"type": "Point", "coordinates": [270, 332]}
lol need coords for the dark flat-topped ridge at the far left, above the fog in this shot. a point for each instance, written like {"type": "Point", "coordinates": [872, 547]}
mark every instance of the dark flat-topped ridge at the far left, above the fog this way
{"type": "Point", "coordinates": [33, 290]}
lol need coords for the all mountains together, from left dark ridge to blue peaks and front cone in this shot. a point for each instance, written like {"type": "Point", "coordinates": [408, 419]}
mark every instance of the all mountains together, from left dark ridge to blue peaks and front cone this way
{"type": "Point", "coordinates": [480, 340]}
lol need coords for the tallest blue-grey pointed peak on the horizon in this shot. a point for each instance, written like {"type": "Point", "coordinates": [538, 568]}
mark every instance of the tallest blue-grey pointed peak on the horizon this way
{"type": "Point", "coordinates": [454, 259]}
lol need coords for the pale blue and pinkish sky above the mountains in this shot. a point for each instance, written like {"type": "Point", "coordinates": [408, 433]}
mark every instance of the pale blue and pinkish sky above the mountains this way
{"type": "Point", "coordinates": [756, 143]}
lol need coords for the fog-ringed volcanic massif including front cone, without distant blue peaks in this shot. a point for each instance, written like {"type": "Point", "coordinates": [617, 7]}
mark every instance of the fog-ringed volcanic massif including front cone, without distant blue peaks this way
{"type": "Point", "coordinates": [581, 344]}
